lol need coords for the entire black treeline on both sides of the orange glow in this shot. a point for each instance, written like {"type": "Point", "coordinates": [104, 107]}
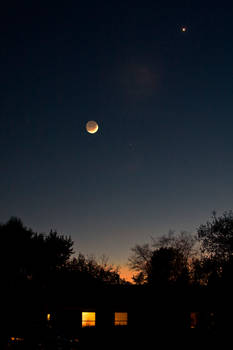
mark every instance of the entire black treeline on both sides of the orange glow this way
{"type": "Point", "coordinates": [201, 259]}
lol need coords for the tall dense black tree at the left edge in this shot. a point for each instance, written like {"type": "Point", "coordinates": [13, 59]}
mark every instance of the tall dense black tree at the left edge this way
{"type": "Point", "coordinates": [26, 254]}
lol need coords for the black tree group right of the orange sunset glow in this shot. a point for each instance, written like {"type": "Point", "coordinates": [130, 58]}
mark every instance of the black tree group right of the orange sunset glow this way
{"type": "Point", "coordinates": [201, 259]}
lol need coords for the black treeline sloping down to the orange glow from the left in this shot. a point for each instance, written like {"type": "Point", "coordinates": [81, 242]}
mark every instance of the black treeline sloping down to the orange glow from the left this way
{"type": "Point", "coordinates": [30, 257]}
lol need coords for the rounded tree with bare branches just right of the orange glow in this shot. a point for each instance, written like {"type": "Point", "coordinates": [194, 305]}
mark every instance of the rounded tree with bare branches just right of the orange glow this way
{"type": "Point", "coordinates": [168, 260]}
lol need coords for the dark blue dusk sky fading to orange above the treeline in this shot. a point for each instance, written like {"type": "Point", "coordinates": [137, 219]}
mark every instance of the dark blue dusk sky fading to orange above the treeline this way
{"type": "Point", "coordinates": [163, 99]}
